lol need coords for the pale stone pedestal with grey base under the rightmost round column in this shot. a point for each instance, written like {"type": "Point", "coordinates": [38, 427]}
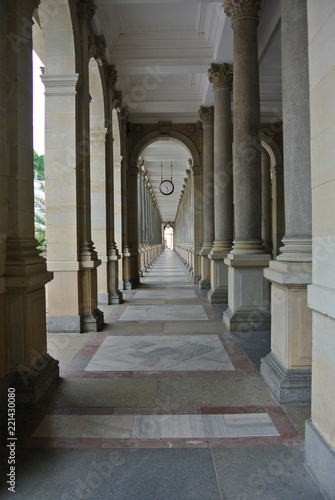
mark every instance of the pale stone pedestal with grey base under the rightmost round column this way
{"type": "Point", "coordinates": [286, 370]}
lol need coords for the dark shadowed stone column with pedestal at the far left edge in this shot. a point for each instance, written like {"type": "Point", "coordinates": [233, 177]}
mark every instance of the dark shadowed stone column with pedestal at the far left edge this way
{"type": "Point", "coordinates": [23, 274]}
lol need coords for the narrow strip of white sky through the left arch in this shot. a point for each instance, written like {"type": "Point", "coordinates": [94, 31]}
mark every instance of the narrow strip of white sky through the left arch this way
{"type": "Point", "coordinates": [38, 106]}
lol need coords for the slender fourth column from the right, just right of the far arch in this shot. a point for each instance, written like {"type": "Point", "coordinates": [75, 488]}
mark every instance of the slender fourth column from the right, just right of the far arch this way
{"type": "Point", "coordinates": [207, 118]}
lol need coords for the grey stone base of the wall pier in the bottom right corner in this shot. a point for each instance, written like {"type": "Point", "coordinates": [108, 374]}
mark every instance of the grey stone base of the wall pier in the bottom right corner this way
{"type": "Point", "coordinates": [320, 460]}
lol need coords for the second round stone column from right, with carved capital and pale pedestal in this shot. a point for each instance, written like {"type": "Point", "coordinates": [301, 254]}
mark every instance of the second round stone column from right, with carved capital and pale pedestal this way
{"type": "Point", "coordinates": [248, 300]}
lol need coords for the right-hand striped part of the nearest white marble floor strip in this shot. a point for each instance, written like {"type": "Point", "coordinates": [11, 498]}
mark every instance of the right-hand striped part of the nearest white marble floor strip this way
{"type": "Point", "coordinates": [201, 426]}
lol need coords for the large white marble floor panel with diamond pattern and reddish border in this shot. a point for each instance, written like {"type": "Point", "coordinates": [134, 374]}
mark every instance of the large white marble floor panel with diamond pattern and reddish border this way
{"type": "Point", "coordinates": [160, 353]}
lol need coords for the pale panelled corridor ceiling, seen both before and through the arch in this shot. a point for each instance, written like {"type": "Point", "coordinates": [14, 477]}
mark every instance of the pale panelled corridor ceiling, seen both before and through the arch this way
{"type": "Point", "coordinates": [162, 51]}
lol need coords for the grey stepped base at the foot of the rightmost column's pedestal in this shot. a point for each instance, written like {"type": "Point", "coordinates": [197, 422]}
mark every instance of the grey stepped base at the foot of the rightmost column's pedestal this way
{"type": "Point", "coordinates": [288, 386]}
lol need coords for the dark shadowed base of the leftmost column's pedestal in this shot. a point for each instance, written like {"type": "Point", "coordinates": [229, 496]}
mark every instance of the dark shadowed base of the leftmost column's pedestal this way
{"type": "Point", "coordinates": [33, 384]}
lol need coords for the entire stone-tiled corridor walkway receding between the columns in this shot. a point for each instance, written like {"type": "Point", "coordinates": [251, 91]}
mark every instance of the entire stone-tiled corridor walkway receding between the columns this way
{"type": "Point", "coordinates": [162, 404]}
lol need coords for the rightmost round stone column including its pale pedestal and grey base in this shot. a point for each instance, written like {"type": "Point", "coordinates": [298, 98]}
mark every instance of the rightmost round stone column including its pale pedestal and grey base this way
{"type": "Point", "coordinates": [287, 369]}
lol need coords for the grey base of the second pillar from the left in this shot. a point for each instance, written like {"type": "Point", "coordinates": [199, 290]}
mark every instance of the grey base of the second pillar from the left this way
{"type": "Point", "coordinates": [76, 324]}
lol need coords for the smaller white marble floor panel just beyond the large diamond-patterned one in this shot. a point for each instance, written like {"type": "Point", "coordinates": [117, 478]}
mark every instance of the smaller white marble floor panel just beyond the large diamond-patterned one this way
{"type": "Point", "coordinates": [164, 313]}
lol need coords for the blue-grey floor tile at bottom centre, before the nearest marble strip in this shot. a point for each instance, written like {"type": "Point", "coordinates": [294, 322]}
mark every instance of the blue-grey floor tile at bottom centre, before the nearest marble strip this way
{"type": "Point", "coordinates": [154, 474]}
